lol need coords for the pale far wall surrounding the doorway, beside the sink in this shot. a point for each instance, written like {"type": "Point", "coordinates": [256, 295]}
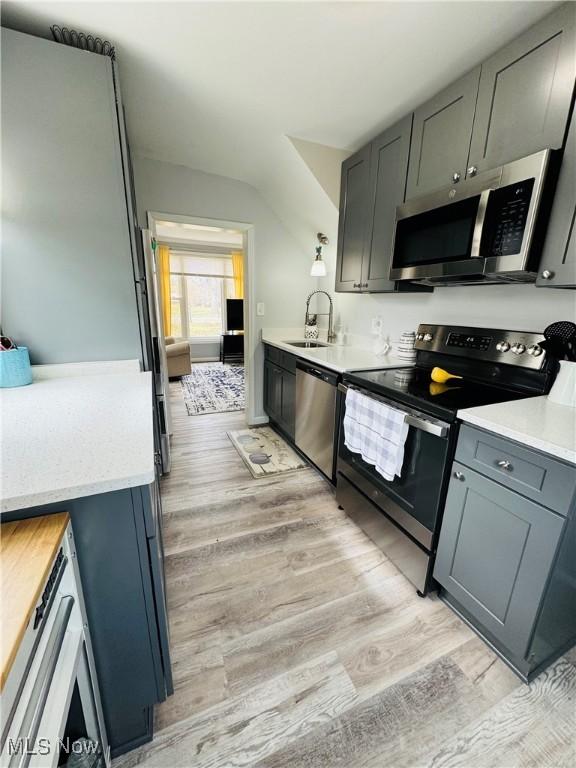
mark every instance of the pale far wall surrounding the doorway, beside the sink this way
{"type": "Point", "coordinates": [282, 267]}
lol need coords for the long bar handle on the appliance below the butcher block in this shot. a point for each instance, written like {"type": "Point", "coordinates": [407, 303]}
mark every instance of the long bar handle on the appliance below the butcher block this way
{"type": "Point", "coordinates": [35, 709]}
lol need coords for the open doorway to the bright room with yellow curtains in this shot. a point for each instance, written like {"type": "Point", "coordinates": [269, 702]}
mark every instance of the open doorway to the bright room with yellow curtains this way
{"type": "Point", "coordinates": [204, 269]}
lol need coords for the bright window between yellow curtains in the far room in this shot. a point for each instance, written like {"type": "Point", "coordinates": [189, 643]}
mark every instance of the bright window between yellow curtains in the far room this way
{"type": "Point", "coordinates": [199, 287]}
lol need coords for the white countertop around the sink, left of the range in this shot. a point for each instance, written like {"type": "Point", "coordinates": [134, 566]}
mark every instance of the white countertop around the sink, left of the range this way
{"type": "Point", "coordinates": [339, 358]}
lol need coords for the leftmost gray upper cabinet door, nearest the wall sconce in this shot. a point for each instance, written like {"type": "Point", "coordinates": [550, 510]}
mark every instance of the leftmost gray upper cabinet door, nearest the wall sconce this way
{"type": "Point", "coordinates": [354, 201]}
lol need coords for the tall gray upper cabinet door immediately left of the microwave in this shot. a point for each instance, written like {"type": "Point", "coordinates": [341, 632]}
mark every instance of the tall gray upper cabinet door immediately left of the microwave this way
{"type": "Point", "coordinates": [388, 168]}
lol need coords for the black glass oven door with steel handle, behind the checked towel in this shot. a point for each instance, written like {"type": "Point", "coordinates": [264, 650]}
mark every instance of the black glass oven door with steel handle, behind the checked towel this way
{"type": "Point", "coordinates": [412, 500]}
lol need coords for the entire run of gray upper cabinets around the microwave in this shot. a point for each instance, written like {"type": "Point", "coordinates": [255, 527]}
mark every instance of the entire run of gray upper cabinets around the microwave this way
{"type": "Point", "coordinates": [516, 103]}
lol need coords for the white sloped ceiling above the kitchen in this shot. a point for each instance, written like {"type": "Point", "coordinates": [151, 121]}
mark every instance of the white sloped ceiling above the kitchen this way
{"type": "Point", "coordinates": [220, 86]}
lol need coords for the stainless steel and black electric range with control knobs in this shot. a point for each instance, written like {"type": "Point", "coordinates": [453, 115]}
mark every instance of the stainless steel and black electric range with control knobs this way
{"type": "Point", "coordinates": [403, 516]}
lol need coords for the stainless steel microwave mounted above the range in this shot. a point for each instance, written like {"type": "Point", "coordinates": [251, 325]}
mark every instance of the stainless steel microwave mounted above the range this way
{"type": "Point", "coordinates": [487, 229]}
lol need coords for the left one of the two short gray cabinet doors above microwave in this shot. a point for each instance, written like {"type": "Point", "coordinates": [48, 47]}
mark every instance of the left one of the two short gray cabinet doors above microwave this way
{"type": "Point", "coordinates": [441, 137]}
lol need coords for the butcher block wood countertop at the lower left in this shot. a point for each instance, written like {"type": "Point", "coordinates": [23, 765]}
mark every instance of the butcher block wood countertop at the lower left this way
{"type": "Point", "coordinates": [27, 551]}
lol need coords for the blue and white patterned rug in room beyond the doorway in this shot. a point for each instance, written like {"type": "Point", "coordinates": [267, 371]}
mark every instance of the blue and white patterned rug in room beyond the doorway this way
{"type": "Point", "coordinates": [213, 388]}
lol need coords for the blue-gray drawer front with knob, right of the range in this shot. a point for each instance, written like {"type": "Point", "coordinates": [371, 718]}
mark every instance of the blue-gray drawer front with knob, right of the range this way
{"type": "Point", "coordinates": [538, 477]}
